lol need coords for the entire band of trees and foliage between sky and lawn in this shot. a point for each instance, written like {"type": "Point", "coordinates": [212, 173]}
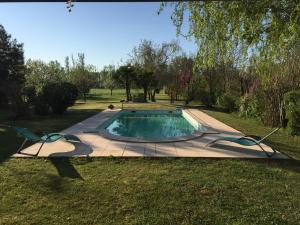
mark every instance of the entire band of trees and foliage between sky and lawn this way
{"type": "Point", "coordinates": [247, 60]}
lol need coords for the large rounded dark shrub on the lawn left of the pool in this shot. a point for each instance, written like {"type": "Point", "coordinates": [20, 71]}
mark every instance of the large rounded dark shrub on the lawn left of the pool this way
{"type": "Point", "coordinates": [59, 96]}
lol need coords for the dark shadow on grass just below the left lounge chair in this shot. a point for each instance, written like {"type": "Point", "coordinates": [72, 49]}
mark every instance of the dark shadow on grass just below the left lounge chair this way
{"type": "Point", "coordinates": [65, 168]}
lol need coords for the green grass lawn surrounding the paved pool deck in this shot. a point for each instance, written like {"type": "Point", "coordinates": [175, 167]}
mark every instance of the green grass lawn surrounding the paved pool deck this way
{"type": "Point", "coordinates": [146, 190]}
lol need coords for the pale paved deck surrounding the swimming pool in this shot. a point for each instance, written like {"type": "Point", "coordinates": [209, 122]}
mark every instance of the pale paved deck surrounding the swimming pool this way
{"type": "Point", "coordinates": [95, 145]}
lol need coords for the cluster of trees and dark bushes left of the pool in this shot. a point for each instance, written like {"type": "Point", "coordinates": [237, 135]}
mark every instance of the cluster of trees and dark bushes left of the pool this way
{"type": "Point", "coordinates": [43, 87]}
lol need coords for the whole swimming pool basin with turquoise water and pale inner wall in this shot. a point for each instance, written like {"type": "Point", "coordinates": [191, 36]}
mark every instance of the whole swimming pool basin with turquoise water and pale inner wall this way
{"type": "Point", "coordinates": [151, 125]}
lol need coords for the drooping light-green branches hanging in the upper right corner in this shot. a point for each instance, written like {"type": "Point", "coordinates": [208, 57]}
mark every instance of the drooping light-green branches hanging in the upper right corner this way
{"type": "Point", "coordinates": [222, 27]}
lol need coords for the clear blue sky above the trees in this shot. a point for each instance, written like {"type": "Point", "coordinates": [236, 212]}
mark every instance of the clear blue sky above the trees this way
{"type": "Point", "coordinates": [105, 32]}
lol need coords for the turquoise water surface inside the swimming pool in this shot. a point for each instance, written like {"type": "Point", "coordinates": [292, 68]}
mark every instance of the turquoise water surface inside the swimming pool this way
{"type": "Point", "coordinates": [150, 125]}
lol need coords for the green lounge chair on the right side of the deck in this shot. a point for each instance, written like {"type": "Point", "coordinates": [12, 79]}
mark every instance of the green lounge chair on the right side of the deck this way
{"type": "Point", "coordinates": [247, 141]}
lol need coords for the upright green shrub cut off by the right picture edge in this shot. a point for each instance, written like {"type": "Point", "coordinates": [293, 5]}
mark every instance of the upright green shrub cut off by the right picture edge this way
{"type": "Point", "coordinates": [292, 107]}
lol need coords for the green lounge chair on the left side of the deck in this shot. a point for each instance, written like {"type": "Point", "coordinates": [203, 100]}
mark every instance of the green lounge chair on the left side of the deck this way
{"type": "Point", "coordinates": [47, 138]}
